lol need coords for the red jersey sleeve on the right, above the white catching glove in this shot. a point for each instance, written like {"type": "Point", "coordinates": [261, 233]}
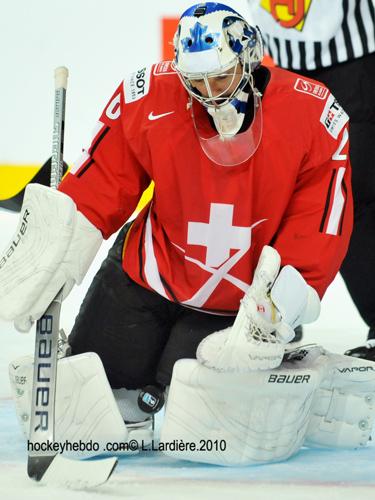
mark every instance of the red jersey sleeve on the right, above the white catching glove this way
{"type": "Point", "coordinates": [316, 227]}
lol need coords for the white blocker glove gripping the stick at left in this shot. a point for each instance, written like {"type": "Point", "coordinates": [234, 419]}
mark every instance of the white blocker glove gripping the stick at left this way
{"type": "Point", "coordinates": [53, 247]}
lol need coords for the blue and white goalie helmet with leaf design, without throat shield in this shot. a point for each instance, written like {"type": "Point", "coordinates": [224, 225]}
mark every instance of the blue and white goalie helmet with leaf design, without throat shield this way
{"type": "Point", "coordinates": [211, 39]}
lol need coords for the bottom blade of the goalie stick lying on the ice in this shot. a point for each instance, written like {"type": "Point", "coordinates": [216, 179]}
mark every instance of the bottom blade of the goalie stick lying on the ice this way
{"type": "Point", "coordinates": [76, 474]}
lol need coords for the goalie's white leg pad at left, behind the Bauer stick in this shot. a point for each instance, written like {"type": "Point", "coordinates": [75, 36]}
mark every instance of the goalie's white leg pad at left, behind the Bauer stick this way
{"type": "Point", "coordinates": [86, 411]}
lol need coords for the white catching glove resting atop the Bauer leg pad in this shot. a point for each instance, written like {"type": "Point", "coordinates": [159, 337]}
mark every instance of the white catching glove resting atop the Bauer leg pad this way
{"type": "Point", "coordinates": [273, 306]}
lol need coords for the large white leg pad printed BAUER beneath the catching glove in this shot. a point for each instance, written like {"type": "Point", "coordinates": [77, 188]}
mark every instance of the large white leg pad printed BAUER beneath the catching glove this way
{"type": "Point", "coordinates": [259, 416]}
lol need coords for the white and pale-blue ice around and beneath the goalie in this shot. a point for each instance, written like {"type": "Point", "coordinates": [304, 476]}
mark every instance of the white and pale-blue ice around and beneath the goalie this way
{"type": "Point", "coordinates": [311, 474]}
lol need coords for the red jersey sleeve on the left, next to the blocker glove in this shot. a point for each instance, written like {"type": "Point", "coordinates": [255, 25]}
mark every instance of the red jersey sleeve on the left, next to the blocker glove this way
{"type": "Point", "coordinates": [108, 180]}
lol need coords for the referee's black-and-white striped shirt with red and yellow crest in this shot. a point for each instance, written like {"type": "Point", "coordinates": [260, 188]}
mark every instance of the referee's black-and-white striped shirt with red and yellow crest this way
{"type": "Point", "coordinates": [312, 34]}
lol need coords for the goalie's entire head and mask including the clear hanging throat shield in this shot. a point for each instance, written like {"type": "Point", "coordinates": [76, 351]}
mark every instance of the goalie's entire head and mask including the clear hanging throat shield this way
{"type": "Point", "coordinates": [216, 52]}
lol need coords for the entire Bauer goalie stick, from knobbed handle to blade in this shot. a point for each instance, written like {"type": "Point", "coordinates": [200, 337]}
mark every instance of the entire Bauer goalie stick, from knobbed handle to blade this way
{"type": "Point", "coordinates": [43, 461]}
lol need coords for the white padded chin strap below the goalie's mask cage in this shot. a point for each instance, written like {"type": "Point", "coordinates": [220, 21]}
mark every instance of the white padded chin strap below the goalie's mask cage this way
{"type": "Point", "coordinates": [229, 117]}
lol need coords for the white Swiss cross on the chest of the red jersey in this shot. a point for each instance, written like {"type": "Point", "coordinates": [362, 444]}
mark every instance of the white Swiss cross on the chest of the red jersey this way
{"type": "Point", "coordinates": [220, 236]}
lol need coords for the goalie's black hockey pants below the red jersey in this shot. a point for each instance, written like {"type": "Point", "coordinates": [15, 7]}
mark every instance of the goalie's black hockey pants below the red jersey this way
{"type": "Point", "coordinates": [138, 334]}
